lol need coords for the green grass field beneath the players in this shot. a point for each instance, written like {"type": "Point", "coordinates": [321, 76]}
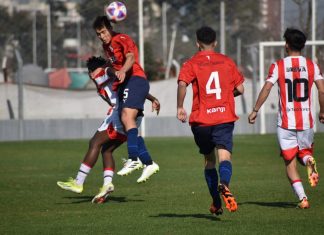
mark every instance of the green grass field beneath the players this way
{"type": "Point", "coordinates": [174, 201]}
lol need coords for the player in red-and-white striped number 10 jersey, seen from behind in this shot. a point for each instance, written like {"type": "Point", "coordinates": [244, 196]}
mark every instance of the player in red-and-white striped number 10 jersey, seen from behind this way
{"type": "Point", "coordinates": [295, 76]}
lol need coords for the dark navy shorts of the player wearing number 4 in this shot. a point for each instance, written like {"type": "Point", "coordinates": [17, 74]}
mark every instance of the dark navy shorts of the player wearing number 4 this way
{"type": "Point", "coordinates": [218, 136]}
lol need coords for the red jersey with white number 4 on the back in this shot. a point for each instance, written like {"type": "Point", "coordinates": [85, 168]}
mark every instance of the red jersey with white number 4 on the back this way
{"type": "Point", "coordinates": [214, 77]}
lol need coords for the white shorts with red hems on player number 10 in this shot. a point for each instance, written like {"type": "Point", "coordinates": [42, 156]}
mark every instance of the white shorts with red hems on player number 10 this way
{"type": "Point", "coordinates": [295, 143]}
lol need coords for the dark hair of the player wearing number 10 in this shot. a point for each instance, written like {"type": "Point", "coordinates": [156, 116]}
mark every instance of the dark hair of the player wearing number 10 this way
{"type": "Point", "coordinates": [295, 39]}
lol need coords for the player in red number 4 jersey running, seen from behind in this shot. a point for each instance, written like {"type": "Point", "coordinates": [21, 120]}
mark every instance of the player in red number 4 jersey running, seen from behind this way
{"type": "Point", "coordinates": [215, 81]}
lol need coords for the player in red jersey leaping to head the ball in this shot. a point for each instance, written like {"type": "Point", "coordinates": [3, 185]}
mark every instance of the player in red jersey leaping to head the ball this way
{"type": "Point", "coordinates": [133, 88]}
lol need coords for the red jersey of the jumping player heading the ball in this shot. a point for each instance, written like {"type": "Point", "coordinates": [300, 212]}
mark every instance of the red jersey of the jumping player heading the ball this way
{"type": "Point", "coordinates": [116, 51]}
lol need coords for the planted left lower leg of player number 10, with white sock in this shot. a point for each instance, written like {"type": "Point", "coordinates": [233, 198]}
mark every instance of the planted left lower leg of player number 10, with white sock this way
{"type": "Point", "coordinates": [296, 183]}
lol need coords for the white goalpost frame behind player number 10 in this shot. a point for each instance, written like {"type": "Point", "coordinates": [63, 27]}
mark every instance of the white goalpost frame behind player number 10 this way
{"type": "Point", "coordinates": [262, 46]}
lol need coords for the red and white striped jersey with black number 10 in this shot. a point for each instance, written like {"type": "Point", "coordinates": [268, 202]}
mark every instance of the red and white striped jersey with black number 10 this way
{"type": "Point", "coordinates": [295, 76]}
